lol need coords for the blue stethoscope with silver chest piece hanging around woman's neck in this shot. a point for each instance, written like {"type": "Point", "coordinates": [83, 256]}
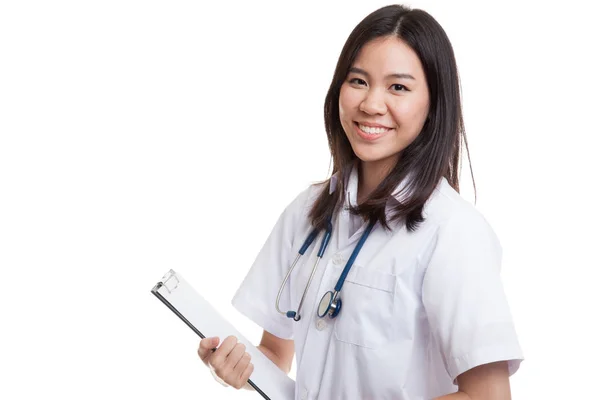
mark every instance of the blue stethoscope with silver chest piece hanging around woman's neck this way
{"type": "Point", "coordinates": [330, 304]}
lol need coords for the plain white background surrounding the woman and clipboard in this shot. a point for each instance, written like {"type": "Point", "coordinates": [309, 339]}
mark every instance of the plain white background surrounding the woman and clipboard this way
{"type": "Point", "coordinates": [139, 136]}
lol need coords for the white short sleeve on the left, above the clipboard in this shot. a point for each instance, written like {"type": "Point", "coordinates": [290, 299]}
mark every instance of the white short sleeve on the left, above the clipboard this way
{"type": "Point", "coordinates": [256, 296]}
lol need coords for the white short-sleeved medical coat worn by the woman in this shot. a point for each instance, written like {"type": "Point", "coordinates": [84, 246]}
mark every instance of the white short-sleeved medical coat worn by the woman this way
{"type": "Point", "coordinates": [418, 308]}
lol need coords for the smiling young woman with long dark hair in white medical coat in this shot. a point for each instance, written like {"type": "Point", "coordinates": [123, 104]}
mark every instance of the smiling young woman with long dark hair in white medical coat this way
{"type": "Point", "coordinates": [407, 300]}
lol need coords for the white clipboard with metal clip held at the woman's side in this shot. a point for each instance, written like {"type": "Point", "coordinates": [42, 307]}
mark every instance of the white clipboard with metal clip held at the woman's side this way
{"type": "Point", "coordinates": [183, 300]}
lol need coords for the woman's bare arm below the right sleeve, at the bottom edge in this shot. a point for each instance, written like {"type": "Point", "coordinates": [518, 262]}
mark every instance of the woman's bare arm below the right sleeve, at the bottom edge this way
{"type": "Point", "coordinates": [485, 382]}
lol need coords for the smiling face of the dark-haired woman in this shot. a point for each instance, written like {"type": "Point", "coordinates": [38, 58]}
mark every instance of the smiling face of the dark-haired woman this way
{"type": "Point", "coordinates": [384, 101]}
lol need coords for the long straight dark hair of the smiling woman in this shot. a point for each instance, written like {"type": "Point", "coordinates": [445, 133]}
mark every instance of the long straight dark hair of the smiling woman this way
{"type": "Point", "coordinates": [436, 151]}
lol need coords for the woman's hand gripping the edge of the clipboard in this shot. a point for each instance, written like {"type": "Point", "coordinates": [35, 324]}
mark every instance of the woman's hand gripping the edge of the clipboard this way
{"type": "Point", "coordinates": [230, 362]}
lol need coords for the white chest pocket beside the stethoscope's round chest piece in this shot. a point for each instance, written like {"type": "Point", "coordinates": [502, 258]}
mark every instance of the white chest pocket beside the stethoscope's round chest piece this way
{"type": "Point", "coordinates": [367, 315]}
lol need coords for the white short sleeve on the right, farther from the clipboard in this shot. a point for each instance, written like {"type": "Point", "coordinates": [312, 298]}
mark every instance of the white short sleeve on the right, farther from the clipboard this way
{"type": "Point", "coordinates": [464, 297]}
